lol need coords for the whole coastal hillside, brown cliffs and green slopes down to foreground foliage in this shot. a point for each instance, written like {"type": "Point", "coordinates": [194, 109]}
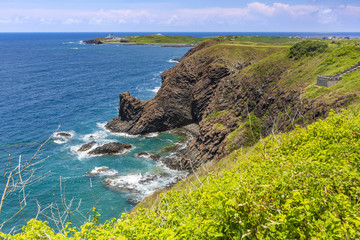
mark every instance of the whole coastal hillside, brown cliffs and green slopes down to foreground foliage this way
{"type": "Point", "coordinates": [275, 157]}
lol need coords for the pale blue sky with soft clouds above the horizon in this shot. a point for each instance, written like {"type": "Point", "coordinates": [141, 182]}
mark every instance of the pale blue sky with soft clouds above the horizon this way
{"type": "Point", "coordinates": [179, 15]}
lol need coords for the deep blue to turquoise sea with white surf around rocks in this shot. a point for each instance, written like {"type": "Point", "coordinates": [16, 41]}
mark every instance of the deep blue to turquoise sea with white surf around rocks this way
{"type": "Point", "coordinates": [51, 79]}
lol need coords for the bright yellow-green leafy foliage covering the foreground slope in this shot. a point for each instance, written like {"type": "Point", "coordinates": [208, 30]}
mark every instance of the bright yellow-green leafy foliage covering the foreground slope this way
{"type": "Point", "coordinates": [299, 185]}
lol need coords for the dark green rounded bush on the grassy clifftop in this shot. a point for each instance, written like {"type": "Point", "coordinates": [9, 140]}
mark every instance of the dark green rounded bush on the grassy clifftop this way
{"type": "Point", "coordinates": [307, 48]}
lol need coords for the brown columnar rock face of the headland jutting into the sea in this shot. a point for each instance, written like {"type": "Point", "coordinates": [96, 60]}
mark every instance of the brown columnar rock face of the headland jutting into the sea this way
{"type": "Point", "coordinates": [183, 96]}
